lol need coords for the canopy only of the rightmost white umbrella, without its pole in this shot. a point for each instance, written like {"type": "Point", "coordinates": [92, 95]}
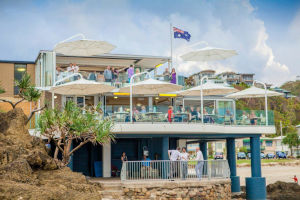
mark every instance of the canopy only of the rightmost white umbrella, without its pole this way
{"type": "Point", "coordinates": [253, 92]}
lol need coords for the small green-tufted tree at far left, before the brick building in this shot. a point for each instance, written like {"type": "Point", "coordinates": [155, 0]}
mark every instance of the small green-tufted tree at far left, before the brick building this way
{"type": "Point", "coordinates": [27, 91]}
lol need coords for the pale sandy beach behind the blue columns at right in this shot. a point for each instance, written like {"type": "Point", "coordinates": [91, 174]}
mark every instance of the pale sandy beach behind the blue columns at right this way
{"type": "Point", "coordinates": [272, 173]}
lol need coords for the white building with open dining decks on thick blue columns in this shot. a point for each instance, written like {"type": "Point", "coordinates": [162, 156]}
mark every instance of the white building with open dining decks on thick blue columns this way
{"type": "Point", "coordinates": [151, 128]}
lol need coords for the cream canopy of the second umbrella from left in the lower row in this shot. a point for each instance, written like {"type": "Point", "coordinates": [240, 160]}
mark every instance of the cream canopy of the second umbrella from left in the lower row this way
{"type": "Point", "coordinates": [151, 86]}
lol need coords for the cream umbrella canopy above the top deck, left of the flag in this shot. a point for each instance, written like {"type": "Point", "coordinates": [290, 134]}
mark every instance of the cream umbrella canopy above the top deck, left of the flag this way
{"type": "Point", "coordinates": [84, 47]}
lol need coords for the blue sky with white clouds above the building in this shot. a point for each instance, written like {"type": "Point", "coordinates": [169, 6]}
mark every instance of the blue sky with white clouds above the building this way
{"type": "Point", "coordinates": [264, 33]}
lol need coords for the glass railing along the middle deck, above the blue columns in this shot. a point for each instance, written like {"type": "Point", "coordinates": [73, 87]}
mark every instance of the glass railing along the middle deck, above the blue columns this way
{"type": "Point", "coordinates": [159, 114]}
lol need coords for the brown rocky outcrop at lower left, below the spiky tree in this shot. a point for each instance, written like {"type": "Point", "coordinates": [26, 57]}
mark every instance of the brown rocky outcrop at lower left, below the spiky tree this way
{"type": "Point", "coordinates": [28, 172]}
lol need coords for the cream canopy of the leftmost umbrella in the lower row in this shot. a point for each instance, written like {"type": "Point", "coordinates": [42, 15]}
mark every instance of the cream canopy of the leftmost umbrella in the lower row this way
{"type": "Point", "coordinates": [81, 87]}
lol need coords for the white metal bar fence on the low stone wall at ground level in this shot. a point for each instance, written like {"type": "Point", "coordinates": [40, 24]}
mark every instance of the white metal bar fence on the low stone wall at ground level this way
{"type": "Point", "coordinates": [172, 170]}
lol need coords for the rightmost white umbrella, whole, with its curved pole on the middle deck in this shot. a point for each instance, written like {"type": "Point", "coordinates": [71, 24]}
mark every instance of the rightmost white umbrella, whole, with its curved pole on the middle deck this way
{"type": "Point", "coordinates": [255, 92]}
